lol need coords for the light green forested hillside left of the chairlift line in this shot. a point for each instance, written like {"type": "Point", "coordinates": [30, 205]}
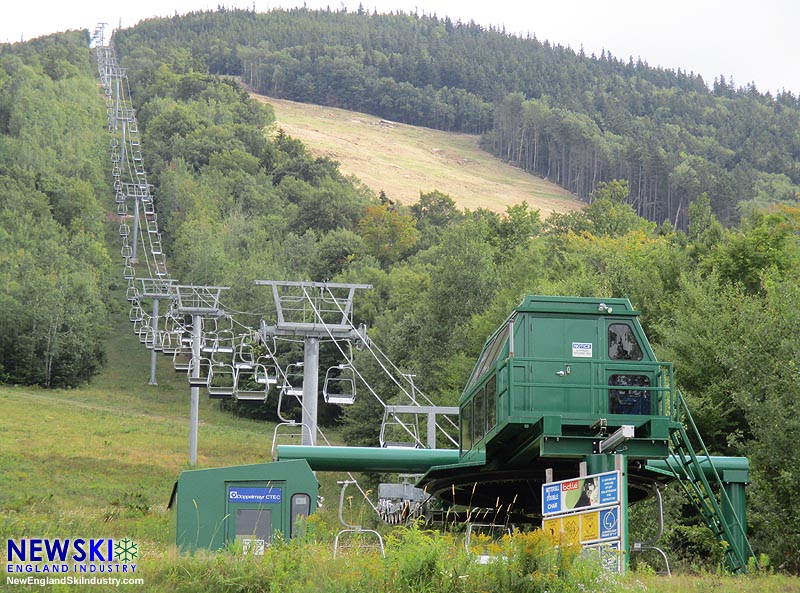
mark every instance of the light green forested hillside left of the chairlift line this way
{"type": "Point", "coordinates": [54, 268]}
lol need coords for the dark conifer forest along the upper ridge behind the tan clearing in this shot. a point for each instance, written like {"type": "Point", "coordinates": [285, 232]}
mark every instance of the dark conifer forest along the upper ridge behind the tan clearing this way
{"type": "Point", "coordinates": [577, 120]}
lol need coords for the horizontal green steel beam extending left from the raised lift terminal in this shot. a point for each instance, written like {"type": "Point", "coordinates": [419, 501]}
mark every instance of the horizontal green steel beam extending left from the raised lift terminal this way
{"type": "Point", "coordinates": [369, 459]}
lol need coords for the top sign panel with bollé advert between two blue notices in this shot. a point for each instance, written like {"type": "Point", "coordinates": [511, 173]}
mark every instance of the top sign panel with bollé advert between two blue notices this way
{"type": "Point", "coordinates": [581, 493]}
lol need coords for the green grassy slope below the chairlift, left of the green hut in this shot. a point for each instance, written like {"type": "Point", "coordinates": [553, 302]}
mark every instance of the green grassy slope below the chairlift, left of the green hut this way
{"type": "Point", "coordinates": [94, 460]}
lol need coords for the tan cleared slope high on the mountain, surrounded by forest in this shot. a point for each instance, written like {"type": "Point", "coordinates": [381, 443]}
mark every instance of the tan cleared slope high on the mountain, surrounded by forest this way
{"type": "Point", "coordinates": [404, 160]}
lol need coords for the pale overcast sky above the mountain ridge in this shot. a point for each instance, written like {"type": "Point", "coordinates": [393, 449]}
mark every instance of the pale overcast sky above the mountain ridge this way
{"type": "Point", "coordinates": [748, 41]}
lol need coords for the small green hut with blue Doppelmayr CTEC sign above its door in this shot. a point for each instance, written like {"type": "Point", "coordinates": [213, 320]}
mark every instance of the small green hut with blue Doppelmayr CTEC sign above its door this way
{"type": "Point", "coordinates": [242, 507]}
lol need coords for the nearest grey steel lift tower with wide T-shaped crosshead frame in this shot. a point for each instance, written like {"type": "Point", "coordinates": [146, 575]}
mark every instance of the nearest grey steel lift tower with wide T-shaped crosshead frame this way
{"type": "Point", "coordinates": [312, 311]}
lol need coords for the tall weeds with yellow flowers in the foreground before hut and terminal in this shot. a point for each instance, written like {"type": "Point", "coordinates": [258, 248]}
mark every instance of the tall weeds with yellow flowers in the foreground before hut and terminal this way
{"type": "Point", "coordinates": [416, 561]}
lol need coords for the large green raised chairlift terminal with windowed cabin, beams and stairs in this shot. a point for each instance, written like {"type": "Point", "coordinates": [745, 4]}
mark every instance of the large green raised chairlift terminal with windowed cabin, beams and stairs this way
{"type": "Point", "coordinates": [558, 378]}
